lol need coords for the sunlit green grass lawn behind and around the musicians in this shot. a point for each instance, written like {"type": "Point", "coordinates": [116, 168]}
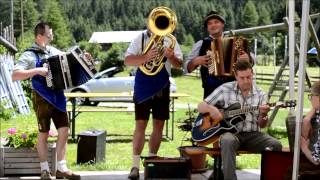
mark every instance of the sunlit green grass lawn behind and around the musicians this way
{"type": "Point", "coordinates": [120, 126]}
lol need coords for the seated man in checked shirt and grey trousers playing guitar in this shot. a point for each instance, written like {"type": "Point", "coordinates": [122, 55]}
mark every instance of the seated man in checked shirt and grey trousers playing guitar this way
{"type": "Point", "coordinates": [249, 138]}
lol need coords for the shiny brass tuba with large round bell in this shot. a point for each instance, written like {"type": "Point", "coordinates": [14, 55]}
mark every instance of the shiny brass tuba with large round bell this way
{"type": "Point", "coordinates": [161, 22]}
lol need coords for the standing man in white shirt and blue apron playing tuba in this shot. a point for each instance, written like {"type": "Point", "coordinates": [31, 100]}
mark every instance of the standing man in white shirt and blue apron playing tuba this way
{"type": "Point", "coordinates": [150, 91]}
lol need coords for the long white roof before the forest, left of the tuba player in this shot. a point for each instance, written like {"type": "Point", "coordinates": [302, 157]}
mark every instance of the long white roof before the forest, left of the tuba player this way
{"type": "Point", "coordinates": [113, 36]}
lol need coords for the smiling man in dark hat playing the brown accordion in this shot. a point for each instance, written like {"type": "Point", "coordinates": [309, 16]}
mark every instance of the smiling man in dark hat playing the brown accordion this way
{"type": "Point", "coordinates": [214, 24]}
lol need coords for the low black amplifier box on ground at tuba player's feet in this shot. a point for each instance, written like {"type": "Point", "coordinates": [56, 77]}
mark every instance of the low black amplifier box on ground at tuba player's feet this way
{"type": "Point", "coordinates": [168, 168]}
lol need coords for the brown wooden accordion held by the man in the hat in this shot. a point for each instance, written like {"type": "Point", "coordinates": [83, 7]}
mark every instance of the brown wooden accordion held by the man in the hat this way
{"type": "Point", "coordinates": [224, 53]}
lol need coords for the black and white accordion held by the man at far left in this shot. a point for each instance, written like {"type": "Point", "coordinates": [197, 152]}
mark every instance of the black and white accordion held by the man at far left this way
{"type": "Point", "coordinates": [69, 69]}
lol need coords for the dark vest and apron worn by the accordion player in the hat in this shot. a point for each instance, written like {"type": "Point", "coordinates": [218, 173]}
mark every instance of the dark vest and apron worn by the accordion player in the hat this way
{"type": "Point", "coordinates": [209, 82]}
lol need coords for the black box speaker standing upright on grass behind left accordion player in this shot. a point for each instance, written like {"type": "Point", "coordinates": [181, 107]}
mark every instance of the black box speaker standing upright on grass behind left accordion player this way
{"type": "Point", "coordinates": [91, 147]}
